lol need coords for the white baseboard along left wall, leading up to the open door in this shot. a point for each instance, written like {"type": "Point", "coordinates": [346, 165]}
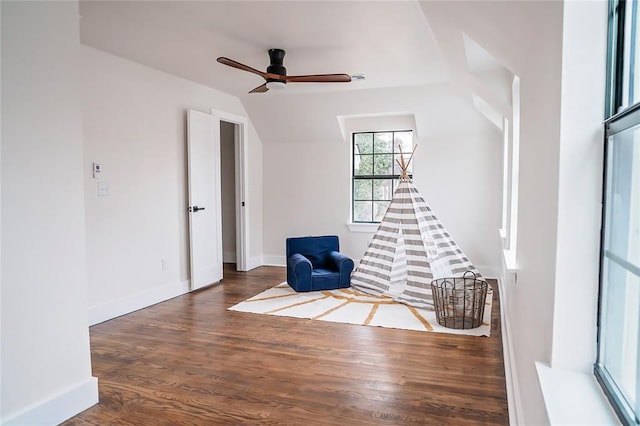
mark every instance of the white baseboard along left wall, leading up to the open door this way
{"type": "Point", "coordinates": [125, 305]}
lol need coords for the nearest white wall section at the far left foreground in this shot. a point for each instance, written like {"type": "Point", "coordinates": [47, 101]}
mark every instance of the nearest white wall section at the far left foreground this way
{"type": "Point", "coordinates": [46, 365]}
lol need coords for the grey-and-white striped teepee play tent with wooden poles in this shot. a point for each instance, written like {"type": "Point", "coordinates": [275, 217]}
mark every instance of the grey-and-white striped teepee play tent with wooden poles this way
{"type": "Point", "coordinates": [409, 250]}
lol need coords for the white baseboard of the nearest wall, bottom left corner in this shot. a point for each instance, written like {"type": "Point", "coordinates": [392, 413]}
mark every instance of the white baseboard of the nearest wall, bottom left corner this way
{"type": "Point", "coordinates": [59, 408]}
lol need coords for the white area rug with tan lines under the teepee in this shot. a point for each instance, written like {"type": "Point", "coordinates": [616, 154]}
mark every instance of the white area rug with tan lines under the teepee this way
{"type": "Point", "coordinates": [353, 307]}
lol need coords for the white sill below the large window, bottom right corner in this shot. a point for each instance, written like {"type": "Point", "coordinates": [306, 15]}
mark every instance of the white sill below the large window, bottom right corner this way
{"type": "Point", "coordinates": [573, 398]}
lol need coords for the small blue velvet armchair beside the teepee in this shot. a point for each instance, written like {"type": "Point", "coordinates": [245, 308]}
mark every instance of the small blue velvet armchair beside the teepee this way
{"type": "Point", "coordinates": [315, 263]}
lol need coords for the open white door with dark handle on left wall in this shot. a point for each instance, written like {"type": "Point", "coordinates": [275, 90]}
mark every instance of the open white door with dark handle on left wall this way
{"type": "Point", "coordinates": [205, 211]}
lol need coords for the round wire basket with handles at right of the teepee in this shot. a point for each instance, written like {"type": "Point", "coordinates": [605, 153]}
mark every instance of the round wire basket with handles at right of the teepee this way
{"type": "Point", "coordinates": [459, 301]}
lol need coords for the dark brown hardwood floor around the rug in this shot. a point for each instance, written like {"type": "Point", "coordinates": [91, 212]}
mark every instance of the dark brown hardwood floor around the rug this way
{"type": "Point", "coordinates": [190, 361]}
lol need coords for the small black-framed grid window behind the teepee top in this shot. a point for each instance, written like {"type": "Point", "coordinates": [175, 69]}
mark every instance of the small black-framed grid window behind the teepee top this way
{"type": "Point", "coordinates": [376, 172]}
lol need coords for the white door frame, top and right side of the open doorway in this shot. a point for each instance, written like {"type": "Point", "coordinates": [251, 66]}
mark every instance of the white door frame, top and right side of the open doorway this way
{"type": "Point", "coordinates": [241, 145]}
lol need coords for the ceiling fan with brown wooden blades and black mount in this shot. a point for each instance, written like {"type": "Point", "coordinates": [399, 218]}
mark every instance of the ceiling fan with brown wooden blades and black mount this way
{"type": "Point", "coordinates": [276, 76]}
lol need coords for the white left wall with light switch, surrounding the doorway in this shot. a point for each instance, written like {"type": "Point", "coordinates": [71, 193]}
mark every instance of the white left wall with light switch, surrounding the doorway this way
{"type": "Point", "coordinates": [134, 125]}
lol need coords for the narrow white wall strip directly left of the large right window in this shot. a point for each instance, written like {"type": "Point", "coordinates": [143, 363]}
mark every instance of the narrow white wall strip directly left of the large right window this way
{"type": "Point", "coordinates": [580, 183]}
